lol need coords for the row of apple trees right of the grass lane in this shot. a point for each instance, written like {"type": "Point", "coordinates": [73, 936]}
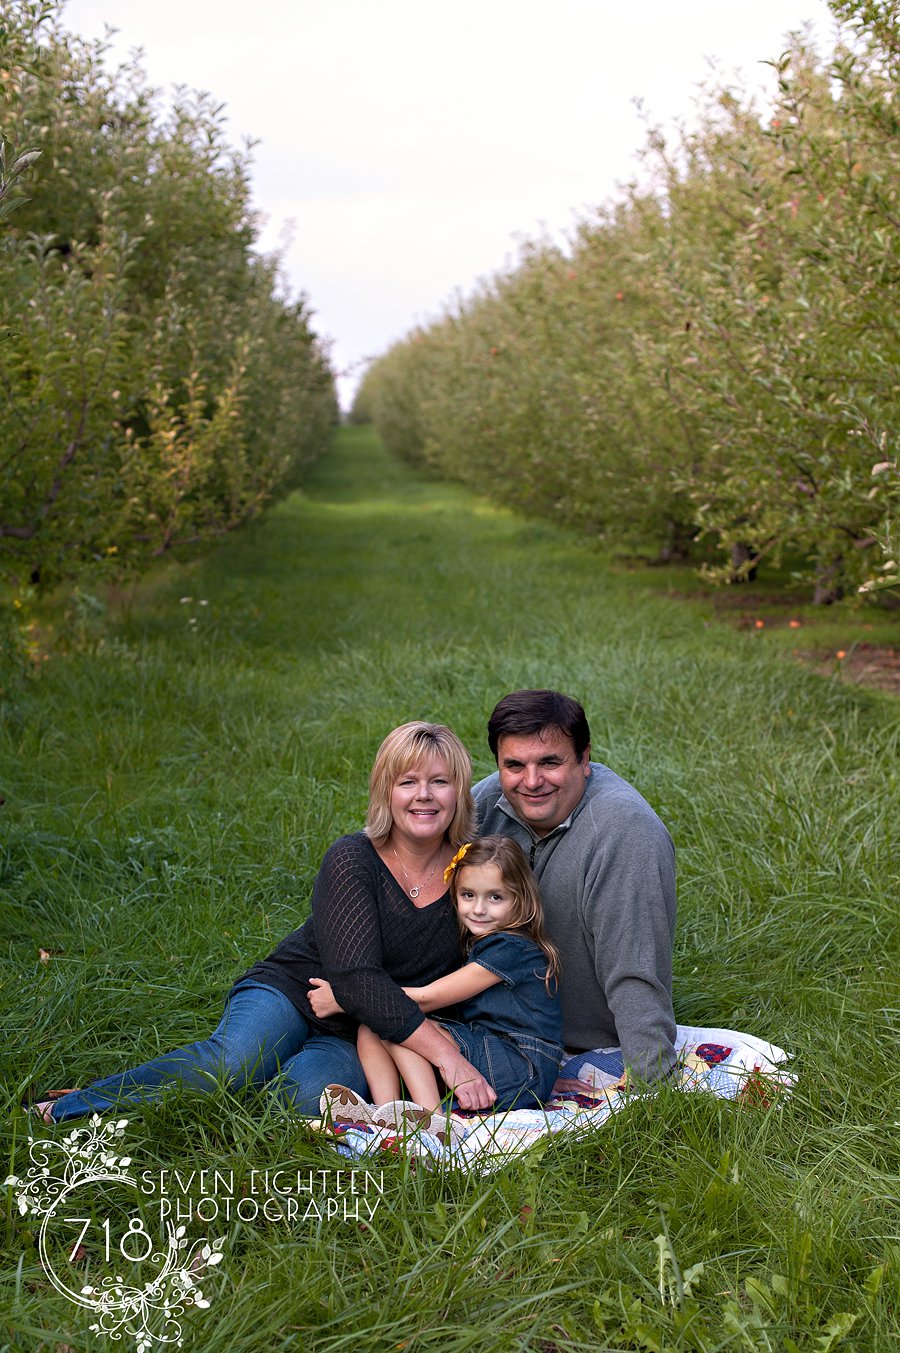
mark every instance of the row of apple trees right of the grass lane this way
{"type": "Point", "coordinates": [715, 359]}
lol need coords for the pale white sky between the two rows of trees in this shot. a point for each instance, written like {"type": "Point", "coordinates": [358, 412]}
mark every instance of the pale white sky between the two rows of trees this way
{"type": "Point", "coordinates": [411, 144]}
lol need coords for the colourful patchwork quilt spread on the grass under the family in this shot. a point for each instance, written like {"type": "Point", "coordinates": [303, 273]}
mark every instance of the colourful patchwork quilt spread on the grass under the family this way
{"type": "Point", "coordinates": [719, 1061]}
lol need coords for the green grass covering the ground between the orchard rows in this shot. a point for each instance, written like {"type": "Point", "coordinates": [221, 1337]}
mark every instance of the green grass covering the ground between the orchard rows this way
{"type": "Point", "coordinates": [171, 788]}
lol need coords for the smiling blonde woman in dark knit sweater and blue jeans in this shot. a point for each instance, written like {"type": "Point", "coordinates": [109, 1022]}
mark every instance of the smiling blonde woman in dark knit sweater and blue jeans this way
{"type": "Point", "coordinates": [382, 919]}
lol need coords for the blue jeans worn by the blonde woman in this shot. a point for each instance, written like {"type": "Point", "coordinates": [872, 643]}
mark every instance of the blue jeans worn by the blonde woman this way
{"type": "Point", "coordinates": [261, 1036]}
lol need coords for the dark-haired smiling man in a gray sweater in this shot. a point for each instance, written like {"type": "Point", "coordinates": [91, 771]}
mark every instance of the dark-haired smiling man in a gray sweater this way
{"type": "Point", "coordinates": [607, 871]}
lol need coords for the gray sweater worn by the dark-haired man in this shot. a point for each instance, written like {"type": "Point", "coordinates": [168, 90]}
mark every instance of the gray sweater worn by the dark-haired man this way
{"type": "Point", "coordinates": [608, 886]}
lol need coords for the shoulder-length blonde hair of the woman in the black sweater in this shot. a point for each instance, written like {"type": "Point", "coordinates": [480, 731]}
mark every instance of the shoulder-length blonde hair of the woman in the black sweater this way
{"type": "Point", "coordinates": [405, 749]}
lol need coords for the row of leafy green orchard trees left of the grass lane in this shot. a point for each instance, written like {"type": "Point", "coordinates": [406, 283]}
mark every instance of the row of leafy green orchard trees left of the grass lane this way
{"type": "Point", "coordinates": [156, 386]}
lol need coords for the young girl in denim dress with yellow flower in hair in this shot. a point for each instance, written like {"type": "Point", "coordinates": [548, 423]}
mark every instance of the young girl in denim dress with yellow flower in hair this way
{"type": "Point", "coordinates": [511, 1024]}
